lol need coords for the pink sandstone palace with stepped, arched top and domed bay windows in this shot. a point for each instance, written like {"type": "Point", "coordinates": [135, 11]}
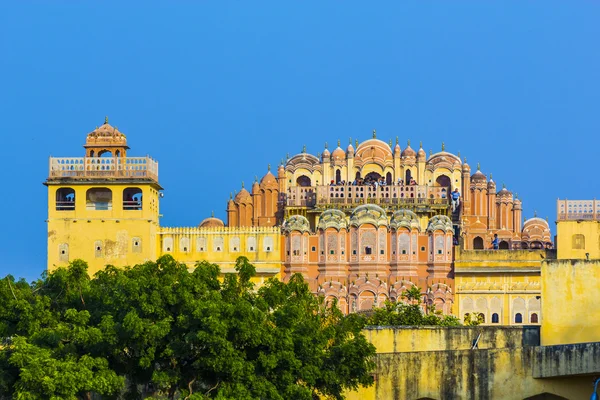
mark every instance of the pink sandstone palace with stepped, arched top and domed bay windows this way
{"type": "Point", "coordinates": [378, 219]}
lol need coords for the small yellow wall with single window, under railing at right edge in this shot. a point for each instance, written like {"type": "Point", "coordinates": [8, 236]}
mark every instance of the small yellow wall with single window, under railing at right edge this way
{"type": "Point", "coordinates": [565, 241]}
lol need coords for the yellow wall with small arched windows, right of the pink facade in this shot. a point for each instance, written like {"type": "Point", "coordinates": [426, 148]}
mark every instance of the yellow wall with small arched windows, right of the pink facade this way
{"type": "Point", "coordinates": [505, 282]}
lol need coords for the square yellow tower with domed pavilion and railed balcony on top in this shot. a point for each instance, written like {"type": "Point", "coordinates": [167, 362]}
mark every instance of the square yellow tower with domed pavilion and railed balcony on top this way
{"type": "Point", "coordinates": [103, 207]}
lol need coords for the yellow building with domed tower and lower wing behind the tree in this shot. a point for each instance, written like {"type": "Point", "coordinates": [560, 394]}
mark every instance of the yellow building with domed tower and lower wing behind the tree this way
{"type": "Point", "coordinates": [104, 208]}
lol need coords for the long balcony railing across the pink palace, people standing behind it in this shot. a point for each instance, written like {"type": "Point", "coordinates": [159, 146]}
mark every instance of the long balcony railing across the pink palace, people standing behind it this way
{"type": "Point", "coordinates": [349, 195]}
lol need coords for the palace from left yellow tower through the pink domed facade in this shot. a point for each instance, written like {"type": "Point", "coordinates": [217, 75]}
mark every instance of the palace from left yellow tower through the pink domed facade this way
{"type": "Point", "coordinates": [361, 224]}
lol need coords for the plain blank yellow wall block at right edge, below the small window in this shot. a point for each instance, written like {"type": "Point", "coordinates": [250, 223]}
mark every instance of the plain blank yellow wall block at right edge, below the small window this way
{"type": "Point", "coordinates": [570, 301]}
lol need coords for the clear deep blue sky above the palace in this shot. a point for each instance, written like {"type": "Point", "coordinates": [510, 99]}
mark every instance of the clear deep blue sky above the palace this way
{"type": "Point", "coordinates": [216, 90]}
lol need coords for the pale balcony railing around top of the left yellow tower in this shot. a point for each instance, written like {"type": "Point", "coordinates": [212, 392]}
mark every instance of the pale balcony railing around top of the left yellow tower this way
{"type": "Point", "coordinates": [103, 167]}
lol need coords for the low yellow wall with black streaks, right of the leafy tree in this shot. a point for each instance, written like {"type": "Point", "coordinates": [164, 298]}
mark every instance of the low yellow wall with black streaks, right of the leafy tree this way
{"type": "Point", "coordinates": [437, 363]}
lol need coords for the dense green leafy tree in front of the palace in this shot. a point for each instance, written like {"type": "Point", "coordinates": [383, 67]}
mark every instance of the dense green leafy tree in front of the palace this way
{"type": "Point", "coordinates": [157, 329]}
